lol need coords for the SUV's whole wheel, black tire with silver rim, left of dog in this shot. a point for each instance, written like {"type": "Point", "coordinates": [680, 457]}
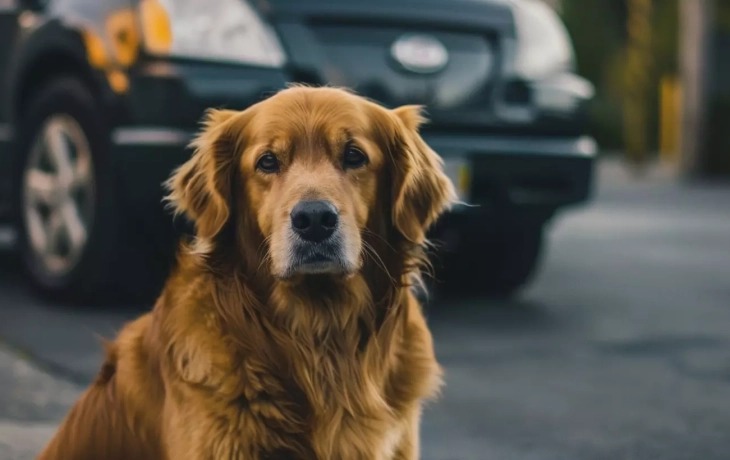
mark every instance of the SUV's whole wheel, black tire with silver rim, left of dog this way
{"type": "Point", "coordinates": [67, 216]}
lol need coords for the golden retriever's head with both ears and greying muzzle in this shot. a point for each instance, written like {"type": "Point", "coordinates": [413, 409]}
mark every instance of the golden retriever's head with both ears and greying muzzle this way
{"type": "Point", "coordinates": [307, 174]}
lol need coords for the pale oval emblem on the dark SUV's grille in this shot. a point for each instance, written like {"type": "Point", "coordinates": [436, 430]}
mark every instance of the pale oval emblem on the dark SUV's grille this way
{"type": "Point", "coordinates": [420, 53]}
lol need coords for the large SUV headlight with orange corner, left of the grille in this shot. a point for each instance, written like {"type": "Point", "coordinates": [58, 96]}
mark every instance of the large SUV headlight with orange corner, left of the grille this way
{"type": "Point", "coordinates": [216, 30]}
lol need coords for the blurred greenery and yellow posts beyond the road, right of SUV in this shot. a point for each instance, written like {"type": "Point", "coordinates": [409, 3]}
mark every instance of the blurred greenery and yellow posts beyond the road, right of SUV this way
{"type": "Point", "coordinates": [661, 78]}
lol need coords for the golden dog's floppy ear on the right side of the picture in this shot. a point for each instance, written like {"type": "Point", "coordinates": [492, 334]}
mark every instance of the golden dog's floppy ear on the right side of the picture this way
{"type": "Point", "coordinates": [422, 190]}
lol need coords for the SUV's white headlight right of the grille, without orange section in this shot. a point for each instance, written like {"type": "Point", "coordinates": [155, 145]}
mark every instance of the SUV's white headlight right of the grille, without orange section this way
{"type": "Point", "coordinates": [543, 46]}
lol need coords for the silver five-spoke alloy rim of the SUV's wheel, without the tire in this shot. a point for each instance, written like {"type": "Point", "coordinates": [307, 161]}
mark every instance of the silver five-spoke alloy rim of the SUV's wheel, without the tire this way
{"type": "Point", "coordinates": [58, 195]}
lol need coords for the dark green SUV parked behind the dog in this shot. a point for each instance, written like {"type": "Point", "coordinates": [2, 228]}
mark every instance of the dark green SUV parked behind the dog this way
{"type": "Point", "coordinates": [99, 99]}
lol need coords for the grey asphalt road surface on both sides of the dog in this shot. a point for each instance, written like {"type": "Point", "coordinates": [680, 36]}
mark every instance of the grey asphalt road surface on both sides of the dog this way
{"type": "Point", "coordinates": [620, 349]}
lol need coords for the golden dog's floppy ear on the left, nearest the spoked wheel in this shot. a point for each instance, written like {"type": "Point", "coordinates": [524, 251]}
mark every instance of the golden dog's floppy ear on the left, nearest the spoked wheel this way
{"type": "Point", "coordinates": [201, 187]}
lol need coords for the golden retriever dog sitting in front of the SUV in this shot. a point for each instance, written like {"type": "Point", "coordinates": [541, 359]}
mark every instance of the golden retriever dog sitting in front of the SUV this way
{"type": "Point", "coordinates": [288, 329]}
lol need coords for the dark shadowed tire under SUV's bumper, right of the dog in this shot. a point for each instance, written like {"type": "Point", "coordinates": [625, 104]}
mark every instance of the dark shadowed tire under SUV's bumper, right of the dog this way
{"type": "Point", "coordinates": [495, 263]}
